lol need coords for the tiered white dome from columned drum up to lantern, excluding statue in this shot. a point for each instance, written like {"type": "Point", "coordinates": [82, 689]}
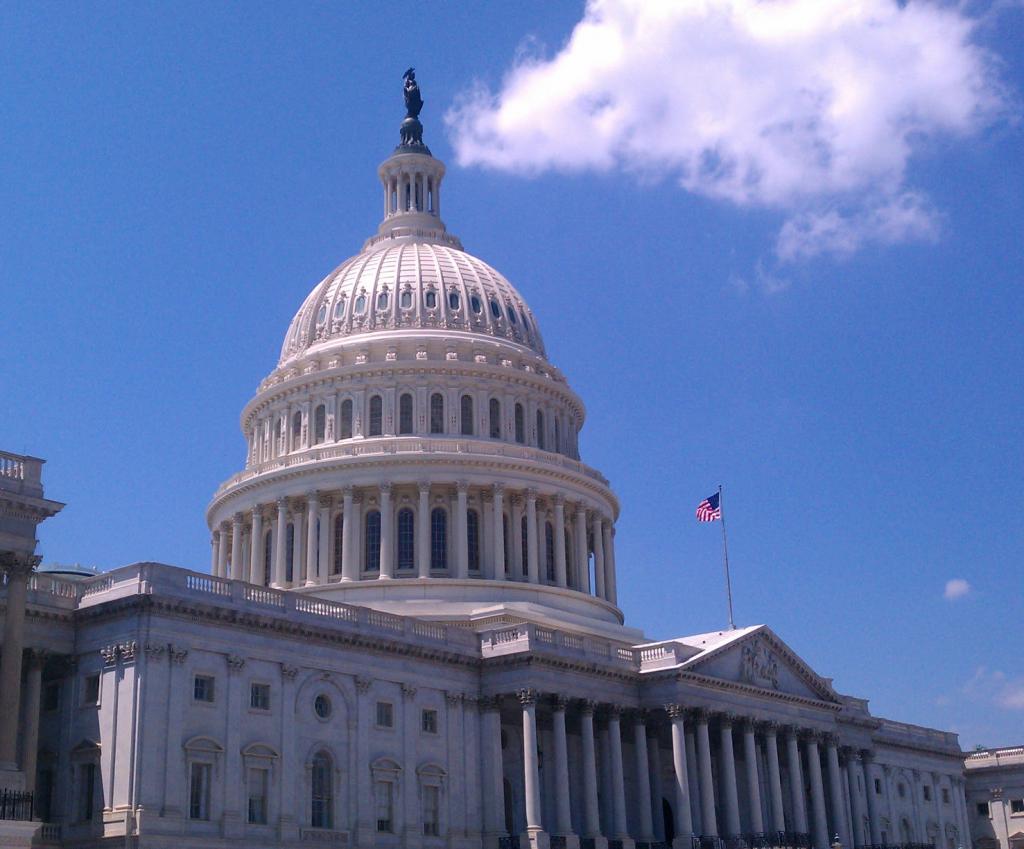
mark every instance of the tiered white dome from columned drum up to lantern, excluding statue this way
{"type": "Point", "coordinates": [414, 429]}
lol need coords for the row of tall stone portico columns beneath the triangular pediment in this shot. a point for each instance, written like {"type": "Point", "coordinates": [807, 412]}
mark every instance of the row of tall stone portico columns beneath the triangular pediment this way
{"type": "Point", "coordinates": [801, 788]}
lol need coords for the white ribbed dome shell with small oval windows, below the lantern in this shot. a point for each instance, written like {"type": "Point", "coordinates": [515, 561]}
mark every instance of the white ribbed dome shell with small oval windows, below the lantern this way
{"type": "Point", "coordinates": [411, 286]}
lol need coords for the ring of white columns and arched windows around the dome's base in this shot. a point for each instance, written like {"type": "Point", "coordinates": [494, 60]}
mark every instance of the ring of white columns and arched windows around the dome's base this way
{"type": "Point", "coordinates": [420, 530]}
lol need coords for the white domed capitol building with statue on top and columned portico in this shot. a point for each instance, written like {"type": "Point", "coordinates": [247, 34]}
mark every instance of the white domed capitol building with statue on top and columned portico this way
{"type": "Point", "coordinates": [410, 634]}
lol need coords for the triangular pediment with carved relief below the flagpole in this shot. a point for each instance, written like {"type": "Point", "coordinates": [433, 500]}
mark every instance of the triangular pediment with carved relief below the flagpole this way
{"type": "Point", "coordinates": [759, 659]}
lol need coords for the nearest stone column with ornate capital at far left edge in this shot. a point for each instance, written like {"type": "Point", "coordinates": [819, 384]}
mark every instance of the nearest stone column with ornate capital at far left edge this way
{"type": "Point", "coordinates": [18, 569]}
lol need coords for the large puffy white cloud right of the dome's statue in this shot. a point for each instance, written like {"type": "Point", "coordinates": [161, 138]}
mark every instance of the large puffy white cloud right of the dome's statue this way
{"type": "Point", "coordinates": [814, 108]}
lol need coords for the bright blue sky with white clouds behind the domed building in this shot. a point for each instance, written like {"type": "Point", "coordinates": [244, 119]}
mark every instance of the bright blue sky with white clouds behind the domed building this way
{"type": "Point", "coordinates": [819, 308]}
